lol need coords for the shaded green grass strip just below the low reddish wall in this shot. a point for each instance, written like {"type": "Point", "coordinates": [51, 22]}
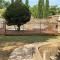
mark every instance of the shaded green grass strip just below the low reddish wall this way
{"type": "Point", "coordinates": [27, 39]}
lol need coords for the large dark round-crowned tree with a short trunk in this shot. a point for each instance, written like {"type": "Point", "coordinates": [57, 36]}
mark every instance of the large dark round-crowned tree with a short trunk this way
{"type": "Point", "coordinates": [17, 14]}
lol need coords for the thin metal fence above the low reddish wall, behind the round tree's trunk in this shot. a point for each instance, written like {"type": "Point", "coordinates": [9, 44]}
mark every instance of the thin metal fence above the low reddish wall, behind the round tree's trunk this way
{"type": "Point", "coordinates": [34, 26]}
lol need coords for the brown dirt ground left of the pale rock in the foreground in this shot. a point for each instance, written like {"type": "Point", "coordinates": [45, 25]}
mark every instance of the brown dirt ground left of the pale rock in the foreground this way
{"type": "Point", "coordinates": [7, 47]}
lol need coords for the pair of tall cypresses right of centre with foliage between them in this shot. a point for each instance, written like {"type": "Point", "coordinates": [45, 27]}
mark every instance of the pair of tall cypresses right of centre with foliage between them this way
{"type": "Point", "coordinates": [43, 8]}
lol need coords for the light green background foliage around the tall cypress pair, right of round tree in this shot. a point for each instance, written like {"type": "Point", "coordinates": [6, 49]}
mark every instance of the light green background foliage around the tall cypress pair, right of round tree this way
{"type": "Point", "coordinates": [52, 10]}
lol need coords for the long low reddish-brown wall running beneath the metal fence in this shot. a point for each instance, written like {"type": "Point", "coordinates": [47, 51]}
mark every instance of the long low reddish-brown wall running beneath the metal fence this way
{"type": "Point", "coordinates": [28, 32]}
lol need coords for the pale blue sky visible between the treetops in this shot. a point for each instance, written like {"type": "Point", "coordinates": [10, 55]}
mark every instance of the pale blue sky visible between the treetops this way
{"type": "Point", "coordinates": [51, 2]}
